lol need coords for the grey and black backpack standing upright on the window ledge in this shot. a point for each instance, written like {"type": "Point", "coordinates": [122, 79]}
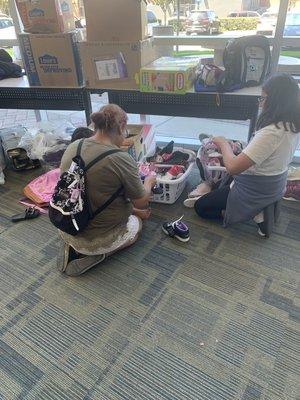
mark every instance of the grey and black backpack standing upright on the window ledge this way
{"type": "Point", "coordinates": [247, 62]}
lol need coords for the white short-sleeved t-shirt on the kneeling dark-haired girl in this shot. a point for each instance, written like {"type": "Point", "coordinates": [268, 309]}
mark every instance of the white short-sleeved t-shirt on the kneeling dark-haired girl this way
{"type": "Point", "coordinates": [272, 150]}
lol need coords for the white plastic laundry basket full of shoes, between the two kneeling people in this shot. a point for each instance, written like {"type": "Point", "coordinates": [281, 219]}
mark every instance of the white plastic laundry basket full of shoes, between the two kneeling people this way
{"type": "Point", "coordinates": [172, 189]}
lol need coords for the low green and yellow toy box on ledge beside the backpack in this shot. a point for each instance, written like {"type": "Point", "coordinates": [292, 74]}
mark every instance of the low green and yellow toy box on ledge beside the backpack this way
{"type": "Point", "coordinates": [169, 75]}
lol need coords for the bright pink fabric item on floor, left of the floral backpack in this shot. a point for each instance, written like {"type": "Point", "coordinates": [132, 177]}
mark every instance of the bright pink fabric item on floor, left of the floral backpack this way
{"type": "Point", "coordinates": [41, 189]}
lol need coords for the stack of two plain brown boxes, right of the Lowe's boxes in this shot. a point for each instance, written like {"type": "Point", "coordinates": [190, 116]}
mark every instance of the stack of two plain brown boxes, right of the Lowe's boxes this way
{"type": "Point", "coordinates": [117, 43]}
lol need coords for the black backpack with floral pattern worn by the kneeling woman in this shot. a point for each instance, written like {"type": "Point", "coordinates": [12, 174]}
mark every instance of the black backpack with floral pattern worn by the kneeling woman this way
{"type": "Point", "coordinates": [70, 209]}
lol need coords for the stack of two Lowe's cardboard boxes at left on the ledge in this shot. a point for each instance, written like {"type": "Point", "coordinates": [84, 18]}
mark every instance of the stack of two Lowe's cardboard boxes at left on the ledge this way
{"type": "Point", "coordinates": [49, 46]}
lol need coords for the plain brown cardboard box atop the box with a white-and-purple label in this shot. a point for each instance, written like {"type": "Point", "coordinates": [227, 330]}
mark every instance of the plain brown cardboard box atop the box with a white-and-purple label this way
{"type": "Point", "coordinates": [116, 20]}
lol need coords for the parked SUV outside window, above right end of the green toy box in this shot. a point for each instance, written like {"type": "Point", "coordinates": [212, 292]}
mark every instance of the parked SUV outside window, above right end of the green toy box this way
{"type": "Point", "coordinates": [202, 22]}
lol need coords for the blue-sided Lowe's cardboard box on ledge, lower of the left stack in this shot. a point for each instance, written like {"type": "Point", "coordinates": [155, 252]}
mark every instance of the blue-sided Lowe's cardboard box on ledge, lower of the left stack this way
{"type": "Point", "coordinates": [51, 60]}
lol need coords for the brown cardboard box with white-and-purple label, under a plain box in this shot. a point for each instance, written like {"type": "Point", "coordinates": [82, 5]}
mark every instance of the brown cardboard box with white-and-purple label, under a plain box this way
{"type": "Point", "coordinates": [115, 65]}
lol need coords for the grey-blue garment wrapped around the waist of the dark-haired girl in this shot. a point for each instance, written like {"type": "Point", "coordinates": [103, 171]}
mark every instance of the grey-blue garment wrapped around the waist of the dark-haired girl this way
{"type": "Point", "coordinates": [250, 194]}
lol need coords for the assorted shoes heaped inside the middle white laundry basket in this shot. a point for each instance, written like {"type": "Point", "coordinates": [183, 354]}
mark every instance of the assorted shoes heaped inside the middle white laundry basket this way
{"type": "Point", "coordinates": [166, 164]}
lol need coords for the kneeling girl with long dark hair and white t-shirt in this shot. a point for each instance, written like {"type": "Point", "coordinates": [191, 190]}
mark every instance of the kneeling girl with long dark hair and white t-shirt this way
{"type": "Point", "coordinates": [260, 171]}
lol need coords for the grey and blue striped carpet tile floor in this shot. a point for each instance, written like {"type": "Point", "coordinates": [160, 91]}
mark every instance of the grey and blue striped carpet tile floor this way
{"type": "Point", "coordinates": [214, 319]}
